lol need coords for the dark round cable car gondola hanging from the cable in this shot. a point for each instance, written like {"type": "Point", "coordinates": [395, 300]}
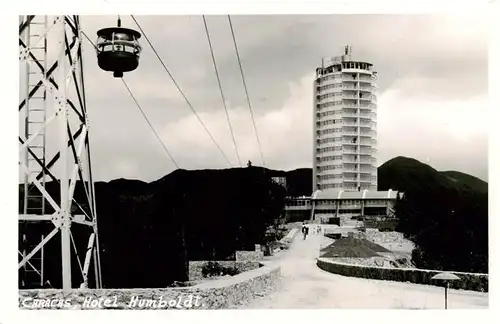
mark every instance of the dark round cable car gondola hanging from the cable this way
{"type": "Point", "coordinates": [118, 49]}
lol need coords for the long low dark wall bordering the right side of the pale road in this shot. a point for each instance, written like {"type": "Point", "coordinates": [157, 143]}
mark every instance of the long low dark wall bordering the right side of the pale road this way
{"type": "Point", "coordinates": [469, 281]}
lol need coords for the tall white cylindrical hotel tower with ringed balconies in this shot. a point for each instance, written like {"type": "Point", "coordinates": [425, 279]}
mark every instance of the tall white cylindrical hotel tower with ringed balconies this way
{"type": "Point", "coordinates": [345, 106]}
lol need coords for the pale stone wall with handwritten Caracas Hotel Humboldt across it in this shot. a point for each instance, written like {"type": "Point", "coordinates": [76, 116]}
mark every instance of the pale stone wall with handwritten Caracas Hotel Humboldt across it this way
{"type": "Point", "coordinates": [215, 294]}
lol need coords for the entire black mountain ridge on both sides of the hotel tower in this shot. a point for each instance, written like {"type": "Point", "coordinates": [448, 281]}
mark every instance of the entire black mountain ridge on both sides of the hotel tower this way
{"type": "Point", "coordinates": [208, 214]}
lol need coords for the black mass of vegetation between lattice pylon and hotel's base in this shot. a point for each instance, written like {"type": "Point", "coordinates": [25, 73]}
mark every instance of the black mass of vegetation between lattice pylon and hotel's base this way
{"type": "Point", "coordinates": [149, 231]}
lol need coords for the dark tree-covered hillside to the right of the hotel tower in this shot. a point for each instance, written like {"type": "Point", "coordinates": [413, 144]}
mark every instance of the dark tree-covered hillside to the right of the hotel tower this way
{"type": "Point", "coordinates": [444, 213]}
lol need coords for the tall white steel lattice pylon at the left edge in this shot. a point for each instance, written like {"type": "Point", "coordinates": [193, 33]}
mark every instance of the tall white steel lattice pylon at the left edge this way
{"type": "Point", "coordinates": [58, 241]}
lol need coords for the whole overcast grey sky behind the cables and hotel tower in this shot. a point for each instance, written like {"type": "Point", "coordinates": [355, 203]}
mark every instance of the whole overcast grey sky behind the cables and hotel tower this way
{"type": "Point", "coordinates": [433, 89]}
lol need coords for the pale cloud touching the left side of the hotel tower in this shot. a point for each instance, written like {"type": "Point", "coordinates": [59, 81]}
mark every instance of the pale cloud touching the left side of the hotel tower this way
{"type": "Point", "coordinates": [276, 130]}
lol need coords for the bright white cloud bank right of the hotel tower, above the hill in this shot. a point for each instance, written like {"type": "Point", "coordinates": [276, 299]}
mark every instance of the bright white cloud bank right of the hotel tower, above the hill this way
{"type": "Point", "coordinates": [448, 135]}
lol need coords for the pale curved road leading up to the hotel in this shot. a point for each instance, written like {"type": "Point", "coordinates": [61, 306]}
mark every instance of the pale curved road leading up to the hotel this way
{"type": "Point", "coordinates": [304, 285]}
